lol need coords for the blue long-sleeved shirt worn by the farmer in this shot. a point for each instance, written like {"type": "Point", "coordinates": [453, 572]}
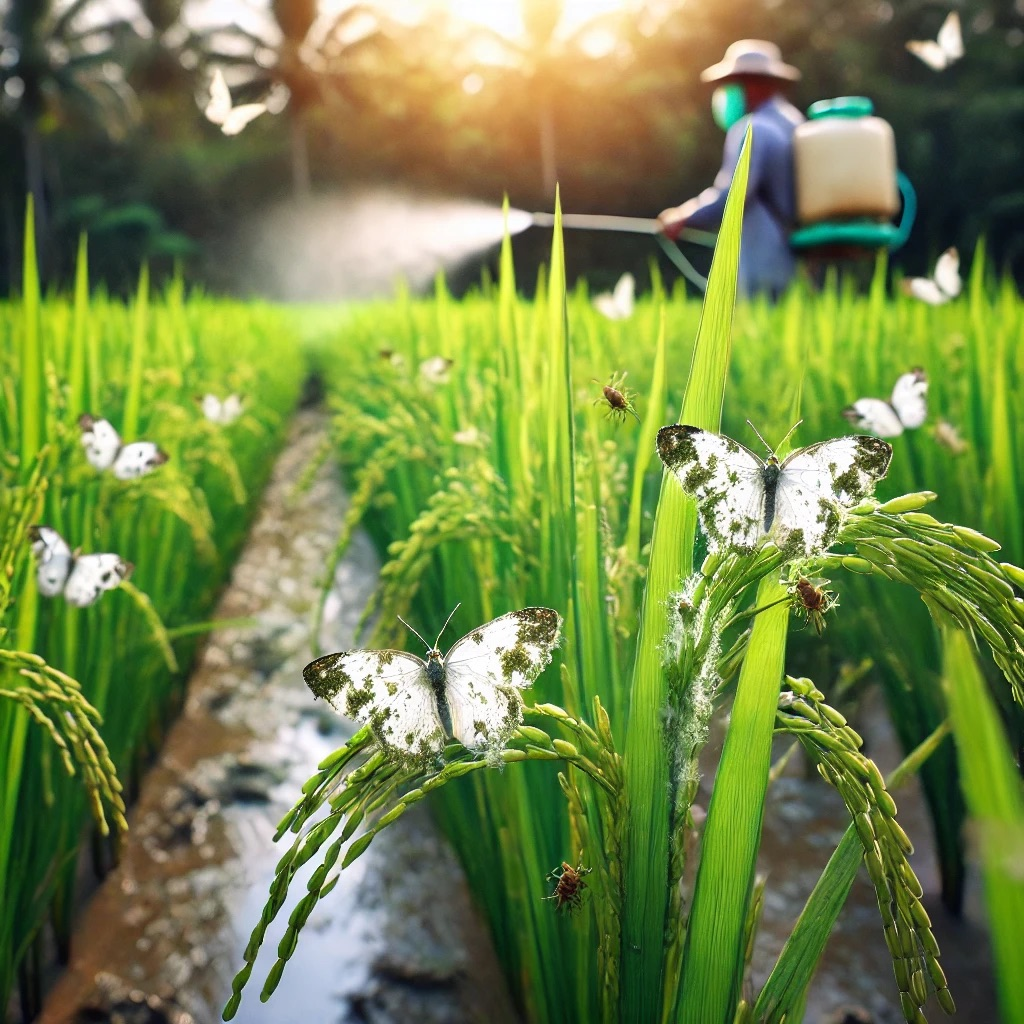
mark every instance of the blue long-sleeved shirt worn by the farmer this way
{"type": "Point", "coordinates": [766, 262]}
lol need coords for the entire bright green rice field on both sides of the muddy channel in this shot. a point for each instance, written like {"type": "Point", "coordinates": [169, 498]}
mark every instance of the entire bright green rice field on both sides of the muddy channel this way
{"type": "Point", "coordinates": [484, 453]}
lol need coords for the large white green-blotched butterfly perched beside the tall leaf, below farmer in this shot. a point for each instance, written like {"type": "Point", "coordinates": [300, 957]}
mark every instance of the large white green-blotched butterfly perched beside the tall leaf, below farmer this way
{"type": "Point", "coordinates": [744, 500]}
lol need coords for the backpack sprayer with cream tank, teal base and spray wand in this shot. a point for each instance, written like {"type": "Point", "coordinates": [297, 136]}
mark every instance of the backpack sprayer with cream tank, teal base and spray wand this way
{"type": "Point", "coordinates": [847, 191]}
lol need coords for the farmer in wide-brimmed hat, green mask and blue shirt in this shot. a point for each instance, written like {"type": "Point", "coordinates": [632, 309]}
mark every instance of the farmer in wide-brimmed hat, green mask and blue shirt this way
{"type": "Point", "coordinates": [751, 81]}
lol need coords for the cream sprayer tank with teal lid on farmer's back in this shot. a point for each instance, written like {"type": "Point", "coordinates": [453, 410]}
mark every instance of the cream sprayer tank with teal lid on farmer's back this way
{"type": "Point", "coordinates": [845, 163]}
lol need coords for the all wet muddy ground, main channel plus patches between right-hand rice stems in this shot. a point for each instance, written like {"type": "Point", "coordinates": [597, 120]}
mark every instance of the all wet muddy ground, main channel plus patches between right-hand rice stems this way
{"type": "Point", "coordinates": [399, 940]}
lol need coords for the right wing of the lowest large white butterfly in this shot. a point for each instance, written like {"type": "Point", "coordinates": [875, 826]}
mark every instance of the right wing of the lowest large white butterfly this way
{"type": "Point", "coordinates": [486, 670]}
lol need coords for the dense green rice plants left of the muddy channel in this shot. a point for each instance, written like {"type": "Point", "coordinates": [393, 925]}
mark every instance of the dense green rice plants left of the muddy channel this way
{"type": "Point", "coordinates": [86, 692]}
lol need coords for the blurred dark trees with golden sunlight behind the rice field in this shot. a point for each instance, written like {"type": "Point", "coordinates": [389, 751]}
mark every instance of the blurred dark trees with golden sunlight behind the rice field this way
{"type": "Point", "coordinates": [102, 116]}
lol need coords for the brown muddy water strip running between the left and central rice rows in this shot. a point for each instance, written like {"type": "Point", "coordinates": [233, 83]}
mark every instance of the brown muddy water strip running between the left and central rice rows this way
{"type": "Point", "coordinates": [398, 941]}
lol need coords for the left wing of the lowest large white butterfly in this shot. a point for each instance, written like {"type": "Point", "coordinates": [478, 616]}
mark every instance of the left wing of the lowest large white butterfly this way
{"type": "Point", "coordinates": [387, 690]}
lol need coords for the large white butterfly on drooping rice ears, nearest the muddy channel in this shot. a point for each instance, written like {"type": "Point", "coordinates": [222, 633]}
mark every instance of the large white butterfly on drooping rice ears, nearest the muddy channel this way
{"type": "Point", "coordinates": [472, 694]}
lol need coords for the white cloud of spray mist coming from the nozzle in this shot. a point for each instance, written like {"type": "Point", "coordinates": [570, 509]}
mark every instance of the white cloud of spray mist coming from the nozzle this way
{"type": "Point", "coordinates": [360, 246]}
